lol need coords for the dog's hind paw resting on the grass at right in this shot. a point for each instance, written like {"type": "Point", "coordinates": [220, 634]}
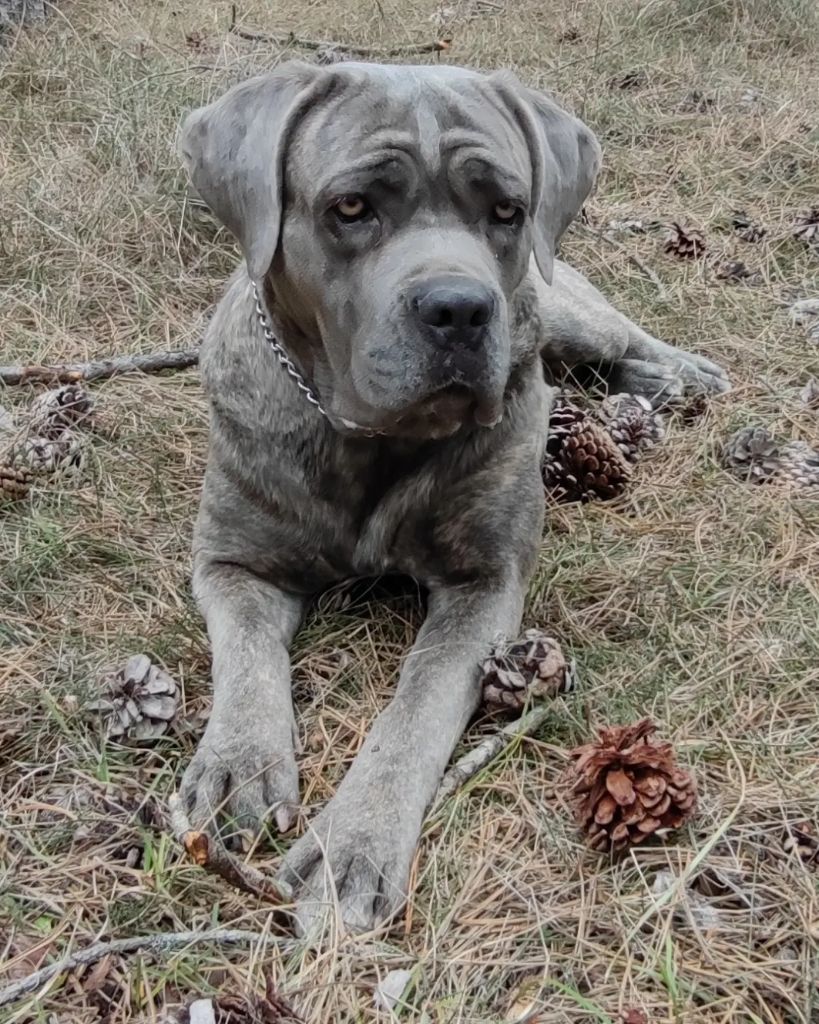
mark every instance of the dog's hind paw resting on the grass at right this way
{"type": "Point", "coordinates": [671, 377]}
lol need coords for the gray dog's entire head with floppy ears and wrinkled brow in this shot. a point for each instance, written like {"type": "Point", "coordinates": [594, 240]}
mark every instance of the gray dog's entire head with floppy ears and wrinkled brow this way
{"type": "Point", "coordinates": [393, 212]}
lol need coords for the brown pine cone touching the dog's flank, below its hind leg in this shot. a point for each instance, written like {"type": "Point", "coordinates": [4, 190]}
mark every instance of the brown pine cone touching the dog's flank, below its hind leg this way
{"type": "Point", "coordinates": [582, 460]}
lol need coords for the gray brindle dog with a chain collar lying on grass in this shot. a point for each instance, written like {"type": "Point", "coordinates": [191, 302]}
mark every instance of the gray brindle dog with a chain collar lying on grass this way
{"type": "Point", "coordinates": [379, 405]}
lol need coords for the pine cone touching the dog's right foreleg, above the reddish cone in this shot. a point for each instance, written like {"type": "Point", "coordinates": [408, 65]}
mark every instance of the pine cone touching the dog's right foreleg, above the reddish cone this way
{"type": "Point", "coordinates": [534, 667]}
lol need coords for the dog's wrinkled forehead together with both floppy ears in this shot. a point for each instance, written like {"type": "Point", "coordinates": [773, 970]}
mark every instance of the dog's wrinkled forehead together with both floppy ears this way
{"type": "Point", "coordinates": [237, 149]}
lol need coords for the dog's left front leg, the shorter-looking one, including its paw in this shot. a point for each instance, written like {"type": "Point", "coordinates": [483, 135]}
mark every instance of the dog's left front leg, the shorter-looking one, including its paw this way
{"type": "Point", "coordinates": [245, 767]}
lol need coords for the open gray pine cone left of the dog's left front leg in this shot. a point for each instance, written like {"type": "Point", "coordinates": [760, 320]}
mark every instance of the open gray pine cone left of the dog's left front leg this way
{"type": "Point", "coordinates": [142, 701]}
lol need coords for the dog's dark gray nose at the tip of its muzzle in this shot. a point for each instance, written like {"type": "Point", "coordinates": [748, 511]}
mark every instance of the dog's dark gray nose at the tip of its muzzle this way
{"type": "Point", "coordinates": [457, 309]}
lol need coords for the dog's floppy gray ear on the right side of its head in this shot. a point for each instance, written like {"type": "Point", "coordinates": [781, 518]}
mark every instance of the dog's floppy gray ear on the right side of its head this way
{"type": "Point", "coordinates": [566, 158]}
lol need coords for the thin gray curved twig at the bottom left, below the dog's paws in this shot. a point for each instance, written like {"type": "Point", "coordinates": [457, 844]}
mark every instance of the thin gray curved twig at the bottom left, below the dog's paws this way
{"type": "Point", "coordinates": [147, 944]}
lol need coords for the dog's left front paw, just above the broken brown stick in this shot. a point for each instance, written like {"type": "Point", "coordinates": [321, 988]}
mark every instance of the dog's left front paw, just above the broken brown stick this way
{"type": "Point", "coordinates": [241, 778]}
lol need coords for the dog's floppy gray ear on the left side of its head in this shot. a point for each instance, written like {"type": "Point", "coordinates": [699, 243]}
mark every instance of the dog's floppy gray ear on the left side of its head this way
{"type": "Point", "coordinates": [235, 153]}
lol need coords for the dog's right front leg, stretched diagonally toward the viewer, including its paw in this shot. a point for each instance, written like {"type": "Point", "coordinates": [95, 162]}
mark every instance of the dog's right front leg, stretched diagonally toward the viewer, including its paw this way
{"type": "Point", "coordinates": [357, 857]}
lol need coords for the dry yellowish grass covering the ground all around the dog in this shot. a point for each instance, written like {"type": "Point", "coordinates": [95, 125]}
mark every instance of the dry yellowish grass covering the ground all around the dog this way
{"type": "Point", "coordinates": [696, 602]}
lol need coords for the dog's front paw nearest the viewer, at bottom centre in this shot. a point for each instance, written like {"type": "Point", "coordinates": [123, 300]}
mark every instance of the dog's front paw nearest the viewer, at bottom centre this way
{"type": "Point", "coordinates": [347, 875]}
